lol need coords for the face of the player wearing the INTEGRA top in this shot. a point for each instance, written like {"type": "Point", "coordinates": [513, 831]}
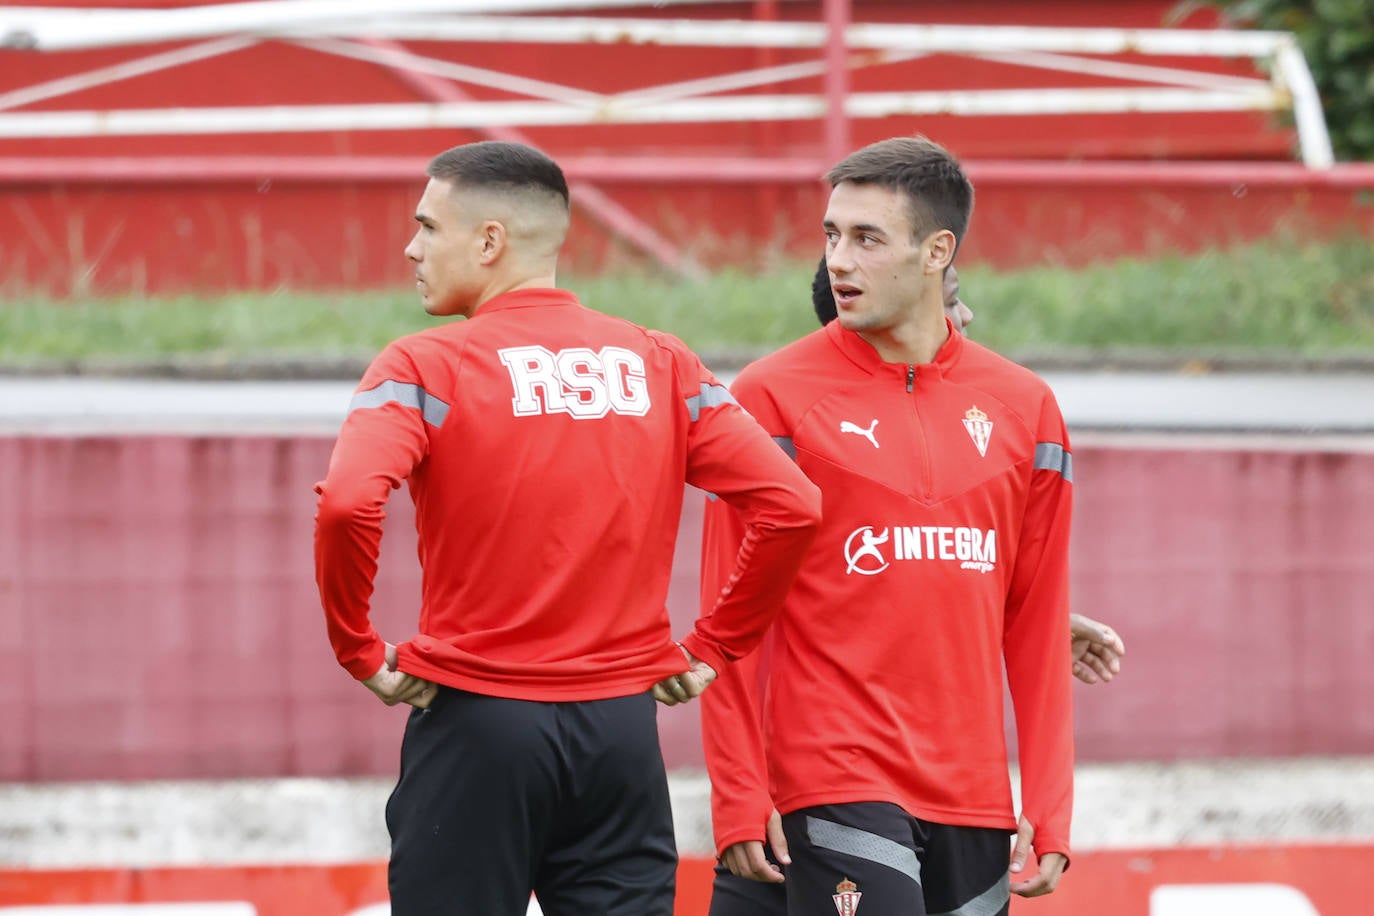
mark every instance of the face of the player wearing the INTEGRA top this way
{"type": "Point", "coordinates": [876, 267]}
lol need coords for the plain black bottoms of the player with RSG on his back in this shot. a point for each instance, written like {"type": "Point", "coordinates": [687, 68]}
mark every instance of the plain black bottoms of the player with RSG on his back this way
{"type": "Point", "coordinates": [499, 799]}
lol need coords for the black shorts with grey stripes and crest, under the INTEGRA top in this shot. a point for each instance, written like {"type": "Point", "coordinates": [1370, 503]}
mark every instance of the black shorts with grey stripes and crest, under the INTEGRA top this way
{"type": "Point", "coordinates": [873, 859]}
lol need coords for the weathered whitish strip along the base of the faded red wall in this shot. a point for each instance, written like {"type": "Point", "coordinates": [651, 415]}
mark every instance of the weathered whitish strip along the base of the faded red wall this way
{"type": "Point", "coordinates": [332, 821]}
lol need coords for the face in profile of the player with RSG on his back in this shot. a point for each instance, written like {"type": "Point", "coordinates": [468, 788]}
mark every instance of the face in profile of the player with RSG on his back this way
{"type": "Point", "coordinates": [446, 252]}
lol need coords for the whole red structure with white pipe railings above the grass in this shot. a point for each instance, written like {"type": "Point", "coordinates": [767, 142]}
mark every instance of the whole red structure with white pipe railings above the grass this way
{"type": "Point", "coordinates": [124, 205]}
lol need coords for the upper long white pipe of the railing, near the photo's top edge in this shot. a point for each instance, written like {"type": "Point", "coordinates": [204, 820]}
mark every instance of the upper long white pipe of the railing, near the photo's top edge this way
{"type": "Point", "coordinates": [472, 21]}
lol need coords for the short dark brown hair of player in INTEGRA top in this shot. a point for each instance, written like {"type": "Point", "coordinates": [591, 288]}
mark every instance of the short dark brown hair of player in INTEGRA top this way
{"type": "Point", "coordinates": [939, 194]}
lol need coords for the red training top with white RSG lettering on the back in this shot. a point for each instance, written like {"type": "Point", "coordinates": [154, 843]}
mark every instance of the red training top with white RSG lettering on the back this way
{"type": "Point", "coordinates": [546, 447]}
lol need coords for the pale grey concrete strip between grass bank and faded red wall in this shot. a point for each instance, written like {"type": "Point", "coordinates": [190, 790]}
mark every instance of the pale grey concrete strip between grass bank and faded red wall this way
{"type": "Point", "coordinates": [1092, 402]}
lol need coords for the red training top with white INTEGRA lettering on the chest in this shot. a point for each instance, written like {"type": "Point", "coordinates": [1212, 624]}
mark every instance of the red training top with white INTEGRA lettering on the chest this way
{"type": "Point", "coordinates": [943, 553]}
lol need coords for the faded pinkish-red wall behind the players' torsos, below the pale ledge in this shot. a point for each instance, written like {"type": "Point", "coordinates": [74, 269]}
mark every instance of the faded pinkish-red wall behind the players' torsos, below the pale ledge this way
{"type": "Point", "coordinates": [161, 620]}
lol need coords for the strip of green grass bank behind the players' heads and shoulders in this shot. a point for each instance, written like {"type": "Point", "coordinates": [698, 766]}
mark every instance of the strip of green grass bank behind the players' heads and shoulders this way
{"type": "Point", "coordinates": [1309, 300]}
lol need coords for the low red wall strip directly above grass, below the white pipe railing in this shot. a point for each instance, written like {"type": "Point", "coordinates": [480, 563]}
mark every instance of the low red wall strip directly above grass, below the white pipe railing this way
{"type": "Point", "coordinates": [167, 236]}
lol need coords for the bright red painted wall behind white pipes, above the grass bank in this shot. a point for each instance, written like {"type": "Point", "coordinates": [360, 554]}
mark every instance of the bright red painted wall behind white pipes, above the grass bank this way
{"type": "Point", "coordinates": [112, 215]}
